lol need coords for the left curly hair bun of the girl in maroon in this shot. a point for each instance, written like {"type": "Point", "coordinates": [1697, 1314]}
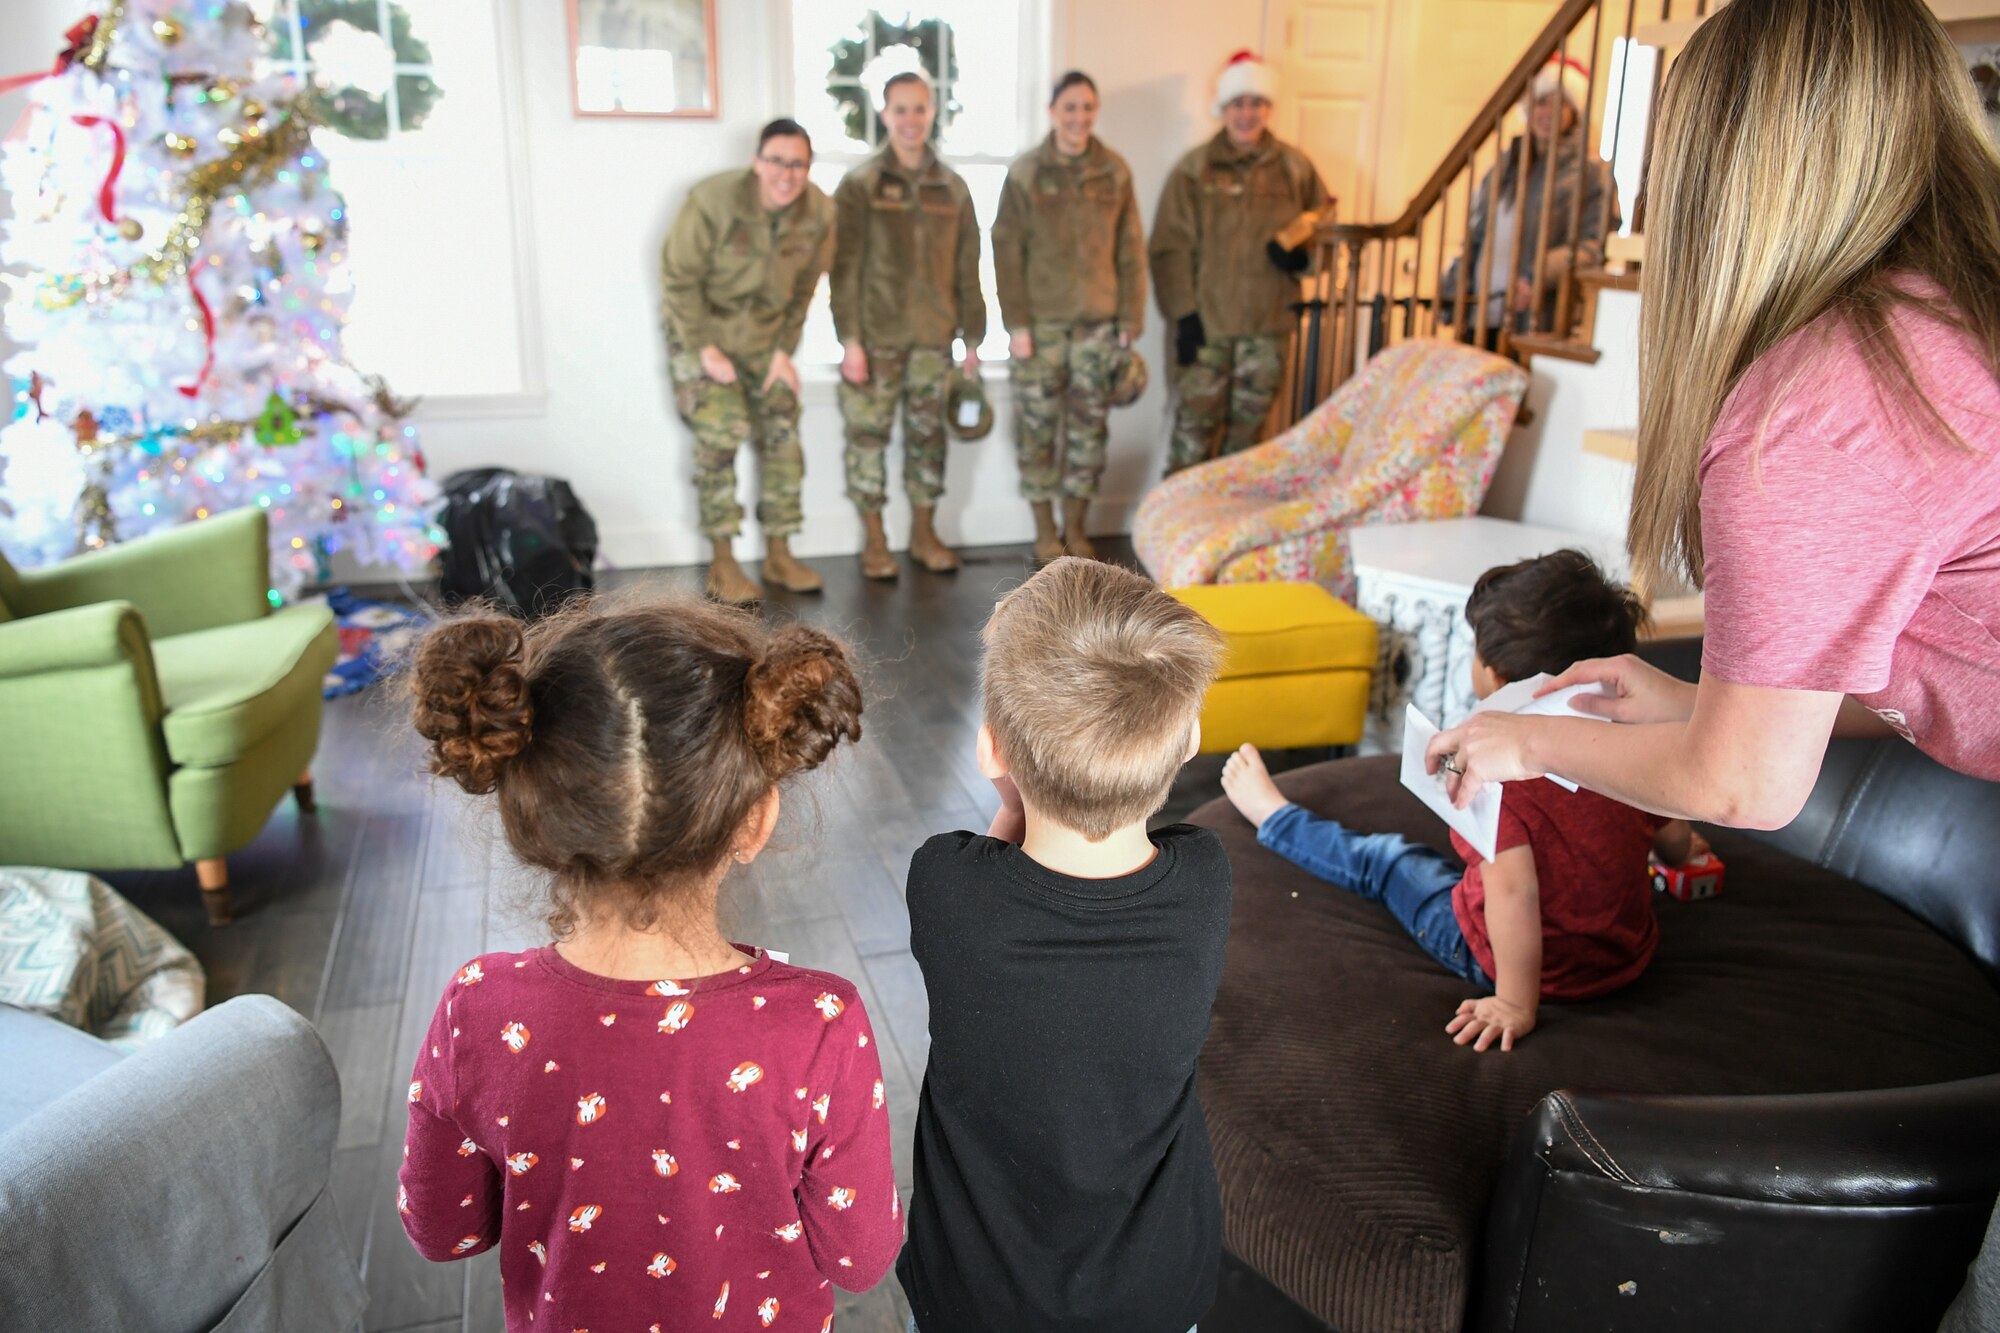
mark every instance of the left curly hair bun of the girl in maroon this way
{"type": "Point", "coordinates": [473, 700]}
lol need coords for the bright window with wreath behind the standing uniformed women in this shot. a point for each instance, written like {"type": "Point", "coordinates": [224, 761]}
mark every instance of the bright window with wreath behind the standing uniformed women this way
{"type": "Point", "coordinates": [989, 67]}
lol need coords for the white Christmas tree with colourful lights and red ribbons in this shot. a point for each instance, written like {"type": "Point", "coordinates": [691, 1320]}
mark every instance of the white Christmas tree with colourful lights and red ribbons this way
{"type": "Point", "coordinates": [179, 291]}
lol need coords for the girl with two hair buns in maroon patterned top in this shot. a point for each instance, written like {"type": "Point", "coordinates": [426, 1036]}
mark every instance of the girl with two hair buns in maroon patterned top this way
{"type": "Point", "coordinates": [645, 1118]}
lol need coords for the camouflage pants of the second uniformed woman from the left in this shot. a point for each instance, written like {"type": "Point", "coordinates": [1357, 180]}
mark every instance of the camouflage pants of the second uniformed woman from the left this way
{"type": "Point", "coordinates": [913, 377]}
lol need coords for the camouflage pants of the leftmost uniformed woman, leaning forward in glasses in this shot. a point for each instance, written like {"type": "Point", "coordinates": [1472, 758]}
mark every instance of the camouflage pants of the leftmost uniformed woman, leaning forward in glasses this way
{"type": "Point", "coordinates": [725, 417]}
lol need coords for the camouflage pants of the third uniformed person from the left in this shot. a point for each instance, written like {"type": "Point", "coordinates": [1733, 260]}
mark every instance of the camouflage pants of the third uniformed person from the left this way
{"type": "Point", "coordinates": [1065, 385]}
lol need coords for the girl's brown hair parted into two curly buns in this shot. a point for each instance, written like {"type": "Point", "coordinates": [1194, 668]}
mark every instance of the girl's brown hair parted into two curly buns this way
{"type": "Point", "coordinates": [629, 740]}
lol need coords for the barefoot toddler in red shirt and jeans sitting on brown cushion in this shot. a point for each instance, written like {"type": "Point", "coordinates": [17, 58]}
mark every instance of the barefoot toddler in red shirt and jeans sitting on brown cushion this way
{"type": "Point", "coordinates": [1565, 910]}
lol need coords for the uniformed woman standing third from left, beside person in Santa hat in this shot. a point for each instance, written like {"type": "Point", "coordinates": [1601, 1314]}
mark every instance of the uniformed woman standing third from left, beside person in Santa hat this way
{"type": "Point", "coordinates": [1071, 267]}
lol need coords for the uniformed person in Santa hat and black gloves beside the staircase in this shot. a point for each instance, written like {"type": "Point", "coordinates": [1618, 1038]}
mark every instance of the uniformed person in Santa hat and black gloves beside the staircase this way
{"type": "Point", "coordinates": [1225, 285]}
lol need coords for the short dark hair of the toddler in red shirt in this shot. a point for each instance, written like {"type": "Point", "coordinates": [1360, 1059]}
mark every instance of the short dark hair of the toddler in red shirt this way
{"type": "Point", "coordinates": [1549, 613]}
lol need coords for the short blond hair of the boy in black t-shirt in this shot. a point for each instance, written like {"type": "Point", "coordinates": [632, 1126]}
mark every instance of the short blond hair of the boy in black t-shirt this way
{"type": "Point", "coordinates": [1093, 686]}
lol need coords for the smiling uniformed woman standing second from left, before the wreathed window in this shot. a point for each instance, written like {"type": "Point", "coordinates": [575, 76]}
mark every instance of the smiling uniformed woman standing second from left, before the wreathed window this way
{"type": "Point", "coordinates": [905, 285]}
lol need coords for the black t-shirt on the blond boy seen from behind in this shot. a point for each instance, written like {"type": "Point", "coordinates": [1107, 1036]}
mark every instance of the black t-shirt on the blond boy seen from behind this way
{"type": "Point", "coordinates": [1063, 1170]}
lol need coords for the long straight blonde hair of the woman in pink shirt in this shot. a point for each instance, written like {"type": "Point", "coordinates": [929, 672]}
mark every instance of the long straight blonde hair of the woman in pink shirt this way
{"type": "Point", "coordinates": [1807, 153]}
